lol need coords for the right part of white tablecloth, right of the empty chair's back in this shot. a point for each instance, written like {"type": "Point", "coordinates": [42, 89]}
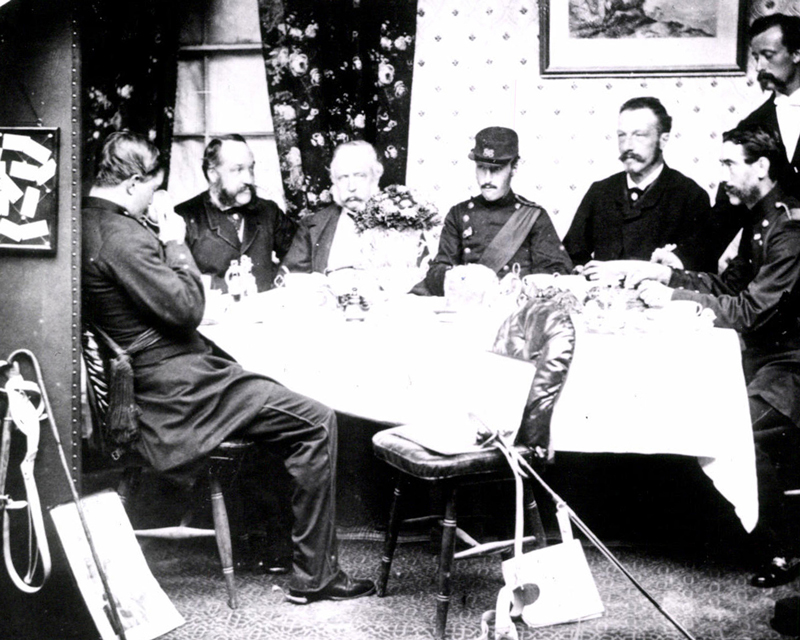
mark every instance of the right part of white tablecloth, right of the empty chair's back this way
{"type": "Point", "coordinates": [680, 392]}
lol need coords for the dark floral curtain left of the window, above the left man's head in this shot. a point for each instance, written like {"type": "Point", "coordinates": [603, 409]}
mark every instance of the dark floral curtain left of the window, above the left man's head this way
{"type": "Point", "coordinates": [129, 70]}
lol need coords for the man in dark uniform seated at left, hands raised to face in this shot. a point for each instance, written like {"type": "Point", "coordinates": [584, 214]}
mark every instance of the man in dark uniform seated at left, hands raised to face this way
{"type": "Point", "coordinates": [136, 280]}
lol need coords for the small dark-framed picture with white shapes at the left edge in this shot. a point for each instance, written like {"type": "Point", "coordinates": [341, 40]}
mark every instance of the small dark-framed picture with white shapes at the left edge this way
{"type": "Point", "coordinates": [28, 190]}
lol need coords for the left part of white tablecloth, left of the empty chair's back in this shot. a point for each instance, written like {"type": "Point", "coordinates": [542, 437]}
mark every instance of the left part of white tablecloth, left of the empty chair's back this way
{"type": "Point", "coordinates": [404, 363]}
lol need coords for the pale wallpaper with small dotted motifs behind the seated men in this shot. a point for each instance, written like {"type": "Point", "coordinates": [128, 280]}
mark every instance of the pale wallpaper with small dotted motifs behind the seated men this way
{"type": "Point", "coordinates": [477, 64]}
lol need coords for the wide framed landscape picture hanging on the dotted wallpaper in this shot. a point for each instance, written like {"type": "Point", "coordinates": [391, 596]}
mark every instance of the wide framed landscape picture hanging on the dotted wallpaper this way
{"type": "Point", "coordinates": [642, 37]}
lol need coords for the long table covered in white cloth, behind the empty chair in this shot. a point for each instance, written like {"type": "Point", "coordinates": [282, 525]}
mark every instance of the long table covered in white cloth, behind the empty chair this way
{"type": "Point", "coordinates": [409, 360]}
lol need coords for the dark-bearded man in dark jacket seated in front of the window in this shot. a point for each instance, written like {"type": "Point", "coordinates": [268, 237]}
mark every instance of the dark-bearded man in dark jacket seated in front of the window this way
{"type": "Point", "coordinates": [230, 221]}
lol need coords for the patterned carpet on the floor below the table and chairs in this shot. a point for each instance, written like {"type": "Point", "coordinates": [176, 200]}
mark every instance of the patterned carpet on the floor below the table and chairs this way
{"type": "Point", "coordinates": [710, 599]}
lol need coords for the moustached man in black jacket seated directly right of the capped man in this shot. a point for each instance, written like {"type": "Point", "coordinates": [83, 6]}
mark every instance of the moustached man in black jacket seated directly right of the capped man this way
{"type": "Point", "coordinates": [632, 214]}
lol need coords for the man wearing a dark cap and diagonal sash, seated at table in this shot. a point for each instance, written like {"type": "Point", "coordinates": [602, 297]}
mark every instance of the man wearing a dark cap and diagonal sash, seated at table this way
{"type": "Point", "coordinates": [498, 228]}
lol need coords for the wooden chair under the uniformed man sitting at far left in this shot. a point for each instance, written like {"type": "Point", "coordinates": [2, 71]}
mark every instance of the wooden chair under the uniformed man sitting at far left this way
{"type": "Point", "coordinates": [222, 463]}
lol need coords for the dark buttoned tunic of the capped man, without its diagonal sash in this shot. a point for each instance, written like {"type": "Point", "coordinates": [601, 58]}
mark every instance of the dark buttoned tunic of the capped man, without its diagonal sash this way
{"type": "Point", "coordinates": [470, 226]}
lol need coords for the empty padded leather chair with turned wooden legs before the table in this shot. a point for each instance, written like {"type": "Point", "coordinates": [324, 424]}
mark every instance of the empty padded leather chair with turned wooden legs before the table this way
{"type": "Point", "coordinates": [540, 331]}
